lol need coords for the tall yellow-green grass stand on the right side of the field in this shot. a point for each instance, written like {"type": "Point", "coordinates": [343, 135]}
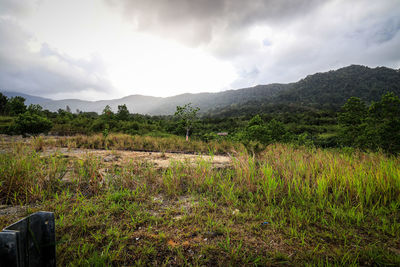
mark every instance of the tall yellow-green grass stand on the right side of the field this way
{"type": "Point", "coordinates": [297, 174]}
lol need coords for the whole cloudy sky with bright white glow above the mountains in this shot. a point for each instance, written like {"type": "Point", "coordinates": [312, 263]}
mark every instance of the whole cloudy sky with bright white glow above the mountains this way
{"type": "Point", "coordinates": [106, 49]}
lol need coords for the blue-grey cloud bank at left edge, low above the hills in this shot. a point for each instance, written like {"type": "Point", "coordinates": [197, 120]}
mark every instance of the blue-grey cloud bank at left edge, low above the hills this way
{"type": "Point", "coordinates": [36, 68]}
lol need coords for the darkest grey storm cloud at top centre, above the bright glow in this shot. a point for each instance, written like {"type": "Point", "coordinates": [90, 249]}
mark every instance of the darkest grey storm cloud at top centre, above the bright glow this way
{"type": "Point", "coordinates": [199, 22]}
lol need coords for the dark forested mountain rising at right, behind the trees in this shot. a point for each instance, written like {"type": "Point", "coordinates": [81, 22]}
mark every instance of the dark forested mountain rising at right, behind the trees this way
{"type": "Point", "coordinates": [328, 91]}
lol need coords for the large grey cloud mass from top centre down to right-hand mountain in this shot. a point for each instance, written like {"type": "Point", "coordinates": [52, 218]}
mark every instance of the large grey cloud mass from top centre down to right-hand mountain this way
{"type": "Point", "coordinates": [276, 40]}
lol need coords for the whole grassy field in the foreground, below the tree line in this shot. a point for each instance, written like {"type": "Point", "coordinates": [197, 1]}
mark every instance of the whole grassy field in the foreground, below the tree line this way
{"type": "Point", "coordinates": [284, 206]}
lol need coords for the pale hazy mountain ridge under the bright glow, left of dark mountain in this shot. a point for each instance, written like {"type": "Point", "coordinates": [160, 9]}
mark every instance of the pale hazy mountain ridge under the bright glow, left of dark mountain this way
{"type": "Point", "coordinates": [166, 105]}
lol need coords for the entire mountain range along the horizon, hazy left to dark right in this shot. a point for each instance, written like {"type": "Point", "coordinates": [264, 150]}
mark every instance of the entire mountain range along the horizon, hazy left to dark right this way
{"type": "Point", "coordinates": [328, 90]}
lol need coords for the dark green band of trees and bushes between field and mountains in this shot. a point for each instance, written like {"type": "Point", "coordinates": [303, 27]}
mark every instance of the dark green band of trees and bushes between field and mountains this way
{"type": "Point", "coordinates": [375, 126]}
